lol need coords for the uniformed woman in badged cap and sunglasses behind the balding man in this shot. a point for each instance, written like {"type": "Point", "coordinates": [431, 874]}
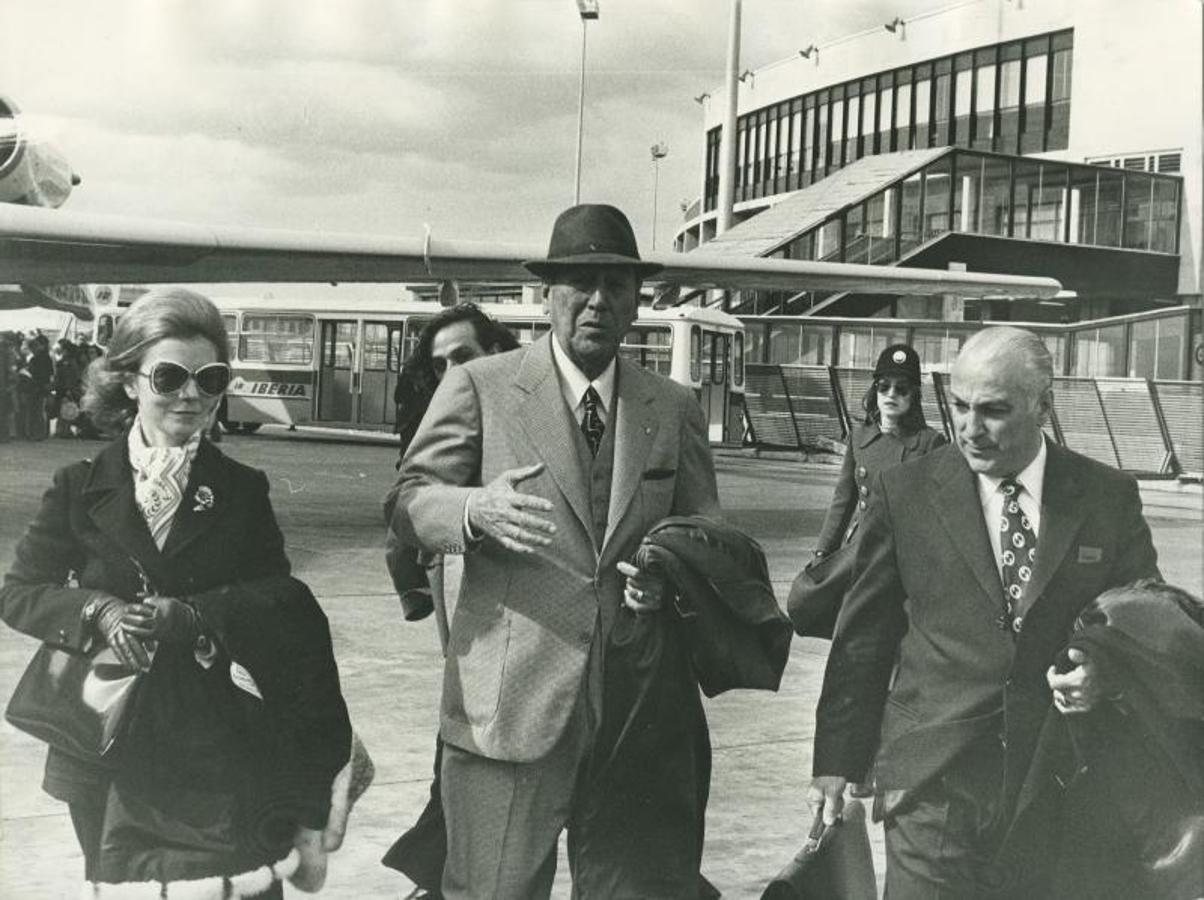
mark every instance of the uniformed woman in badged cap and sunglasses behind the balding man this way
{"type": "Point", "coordinates": [894, 433]}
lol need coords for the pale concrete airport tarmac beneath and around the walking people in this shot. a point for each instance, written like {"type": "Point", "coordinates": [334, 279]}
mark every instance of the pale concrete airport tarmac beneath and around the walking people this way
{"type": "Point", "coordinates": [327, 498]}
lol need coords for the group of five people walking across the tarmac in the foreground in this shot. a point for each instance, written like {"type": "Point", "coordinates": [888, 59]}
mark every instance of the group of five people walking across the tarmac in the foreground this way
{"type": "Point", "coordinates": [1008, 678]}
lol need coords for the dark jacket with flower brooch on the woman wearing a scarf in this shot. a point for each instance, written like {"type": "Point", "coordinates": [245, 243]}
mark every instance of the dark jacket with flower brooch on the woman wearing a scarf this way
{"type": "Point", "coordinates": [91, 526]}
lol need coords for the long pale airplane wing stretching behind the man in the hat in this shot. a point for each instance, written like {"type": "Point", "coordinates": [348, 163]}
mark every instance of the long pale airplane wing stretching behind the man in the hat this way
{"type": "Point", "coordinates": [52, 247]}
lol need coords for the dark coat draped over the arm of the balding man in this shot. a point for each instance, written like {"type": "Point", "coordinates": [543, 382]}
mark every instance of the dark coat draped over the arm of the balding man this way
{"type": "Point", "coordinates": [1132, 769]}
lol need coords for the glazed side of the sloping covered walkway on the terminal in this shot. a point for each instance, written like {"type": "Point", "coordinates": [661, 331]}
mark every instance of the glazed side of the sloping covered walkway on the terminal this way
{"type": "Point", "coordinates": [1002, 197]}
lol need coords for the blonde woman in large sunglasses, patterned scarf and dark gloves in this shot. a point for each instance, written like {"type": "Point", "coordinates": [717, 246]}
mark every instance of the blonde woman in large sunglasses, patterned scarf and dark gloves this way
{"type": "Point", "coordinates": [169, 554]}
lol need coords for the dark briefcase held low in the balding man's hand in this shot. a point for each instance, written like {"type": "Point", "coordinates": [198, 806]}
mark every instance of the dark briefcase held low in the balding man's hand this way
{"type": "Point", "coordinates": [835, 863]}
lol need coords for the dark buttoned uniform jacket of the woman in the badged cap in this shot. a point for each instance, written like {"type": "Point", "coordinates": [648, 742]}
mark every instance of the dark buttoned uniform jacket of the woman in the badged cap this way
{"type": "Point", "coordinates": [871, 452]}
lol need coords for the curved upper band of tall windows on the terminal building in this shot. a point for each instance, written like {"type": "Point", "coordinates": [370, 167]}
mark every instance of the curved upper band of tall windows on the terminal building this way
{"type": "Point", "coordinates": [1010, 98]}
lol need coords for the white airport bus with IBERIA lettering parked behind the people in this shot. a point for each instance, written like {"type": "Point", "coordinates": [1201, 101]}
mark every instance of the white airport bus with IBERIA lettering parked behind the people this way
{"type": "Point", "coordinates": [317, 363]}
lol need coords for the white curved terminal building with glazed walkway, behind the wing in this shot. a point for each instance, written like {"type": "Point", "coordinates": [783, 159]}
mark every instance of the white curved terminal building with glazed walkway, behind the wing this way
{"type": "Point", "coordinates": [1052, 138]}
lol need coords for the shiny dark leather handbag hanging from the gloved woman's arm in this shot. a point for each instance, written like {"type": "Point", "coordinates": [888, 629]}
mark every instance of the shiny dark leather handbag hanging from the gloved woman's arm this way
{"type": "Point", "coordinates": [75, 702]}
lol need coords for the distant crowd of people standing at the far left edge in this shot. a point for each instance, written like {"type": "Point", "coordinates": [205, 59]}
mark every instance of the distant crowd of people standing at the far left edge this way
{"type": "Point", "coordinates": [42, 387]}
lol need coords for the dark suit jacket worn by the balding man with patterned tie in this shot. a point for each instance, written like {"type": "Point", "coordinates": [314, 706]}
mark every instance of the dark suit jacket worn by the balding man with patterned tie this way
{"type": "Point", "coordinates": [929, 594]}
